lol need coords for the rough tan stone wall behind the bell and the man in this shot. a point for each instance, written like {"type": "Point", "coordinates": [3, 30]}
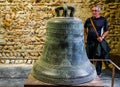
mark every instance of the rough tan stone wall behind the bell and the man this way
{"type": "Point", "coordinates": [22, 23]}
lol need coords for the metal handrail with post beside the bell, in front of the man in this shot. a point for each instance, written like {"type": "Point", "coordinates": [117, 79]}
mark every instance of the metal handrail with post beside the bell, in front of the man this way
{"type": "Point", "coordinates": [113, 68]}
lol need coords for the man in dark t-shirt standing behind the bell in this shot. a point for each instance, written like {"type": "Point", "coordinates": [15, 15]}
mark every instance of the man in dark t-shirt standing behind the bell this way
{"type": "Point", "coordinates": [101, 26]}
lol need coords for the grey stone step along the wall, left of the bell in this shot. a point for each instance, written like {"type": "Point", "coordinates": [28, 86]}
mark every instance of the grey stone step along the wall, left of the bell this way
{"type": "Point", "coordinates": [14, 71]}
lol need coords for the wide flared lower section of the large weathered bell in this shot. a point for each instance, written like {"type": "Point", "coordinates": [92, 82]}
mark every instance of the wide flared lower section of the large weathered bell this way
{"type": "Point", "coordinates": [63, 75]}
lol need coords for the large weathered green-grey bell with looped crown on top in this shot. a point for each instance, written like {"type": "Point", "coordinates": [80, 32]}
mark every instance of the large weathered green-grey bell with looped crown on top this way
{"type": "Point", "coordinates": [64, 60]}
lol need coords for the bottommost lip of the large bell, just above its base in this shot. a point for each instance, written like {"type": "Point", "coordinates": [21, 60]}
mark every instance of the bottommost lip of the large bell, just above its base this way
{"type": "Point", "coordinates": [71, 81]}
